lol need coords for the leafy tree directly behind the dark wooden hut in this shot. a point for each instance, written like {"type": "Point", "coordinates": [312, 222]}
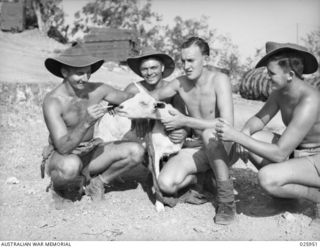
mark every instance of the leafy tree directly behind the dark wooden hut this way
{"type": "Point", "coordinates": [122, 14]}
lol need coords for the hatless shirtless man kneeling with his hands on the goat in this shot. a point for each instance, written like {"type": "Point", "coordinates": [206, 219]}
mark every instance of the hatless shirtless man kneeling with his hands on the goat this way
{"type": "Point", "coordinates": [207, 95]}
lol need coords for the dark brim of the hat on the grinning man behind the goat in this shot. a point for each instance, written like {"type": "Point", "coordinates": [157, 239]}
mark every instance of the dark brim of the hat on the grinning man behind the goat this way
{"type": "Point", "coordinates": [169, 65]}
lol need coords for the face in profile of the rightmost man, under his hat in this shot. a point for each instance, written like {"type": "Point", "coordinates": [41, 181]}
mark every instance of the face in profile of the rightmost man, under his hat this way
{"type": "Point", "coordinates": [278, 76]}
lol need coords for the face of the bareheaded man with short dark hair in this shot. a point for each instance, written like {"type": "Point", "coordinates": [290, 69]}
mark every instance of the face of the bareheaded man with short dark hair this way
{"type": "Point", "coordinates": [193, 61]}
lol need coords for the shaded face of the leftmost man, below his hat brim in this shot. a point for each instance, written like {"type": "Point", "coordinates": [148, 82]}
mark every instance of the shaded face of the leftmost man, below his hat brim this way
{"type": "Point", "coordinates": [77, 76]}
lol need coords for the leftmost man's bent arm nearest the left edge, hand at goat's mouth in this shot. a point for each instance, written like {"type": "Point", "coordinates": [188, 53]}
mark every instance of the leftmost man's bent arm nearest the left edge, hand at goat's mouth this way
{"type": "Point", "coordinates": [65, 140]}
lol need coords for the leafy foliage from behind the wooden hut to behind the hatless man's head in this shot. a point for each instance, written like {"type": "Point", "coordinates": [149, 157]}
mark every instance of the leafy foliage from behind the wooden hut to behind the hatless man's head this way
{"type": "Point", "coordinates": [137, 15]}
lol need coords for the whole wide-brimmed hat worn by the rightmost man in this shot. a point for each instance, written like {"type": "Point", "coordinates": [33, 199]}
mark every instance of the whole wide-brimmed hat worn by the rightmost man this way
{"type": "Point", "coordinates": [310, 63]}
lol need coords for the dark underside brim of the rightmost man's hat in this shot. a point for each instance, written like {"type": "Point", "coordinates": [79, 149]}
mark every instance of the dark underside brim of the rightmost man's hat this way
{"type": "Point", "coordinates": [309, 61]}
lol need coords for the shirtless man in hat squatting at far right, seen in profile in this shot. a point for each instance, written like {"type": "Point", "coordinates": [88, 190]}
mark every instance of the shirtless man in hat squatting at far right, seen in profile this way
{"type": "Point", "coordinates": [291, 162]}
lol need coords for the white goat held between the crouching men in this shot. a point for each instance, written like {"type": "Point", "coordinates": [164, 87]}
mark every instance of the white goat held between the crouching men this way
{"type": "Point", "coordinates": [158, 144]}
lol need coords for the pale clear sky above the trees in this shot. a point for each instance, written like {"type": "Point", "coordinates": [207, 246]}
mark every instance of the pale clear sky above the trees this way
{"type": "Point", "coordinates": [249, 23]}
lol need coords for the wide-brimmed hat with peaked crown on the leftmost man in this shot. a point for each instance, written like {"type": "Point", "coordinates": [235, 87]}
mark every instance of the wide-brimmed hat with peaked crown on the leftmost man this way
{"type": "Point", "coordinates": [75, 56]}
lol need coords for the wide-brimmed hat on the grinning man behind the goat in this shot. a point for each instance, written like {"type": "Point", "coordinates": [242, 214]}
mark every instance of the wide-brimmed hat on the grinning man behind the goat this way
{"type": "Point", "coordinates": [135, 62]}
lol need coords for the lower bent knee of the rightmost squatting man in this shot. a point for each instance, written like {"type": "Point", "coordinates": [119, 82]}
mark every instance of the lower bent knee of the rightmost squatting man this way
{"type": "Point", "coordinates": [268, 180]}
